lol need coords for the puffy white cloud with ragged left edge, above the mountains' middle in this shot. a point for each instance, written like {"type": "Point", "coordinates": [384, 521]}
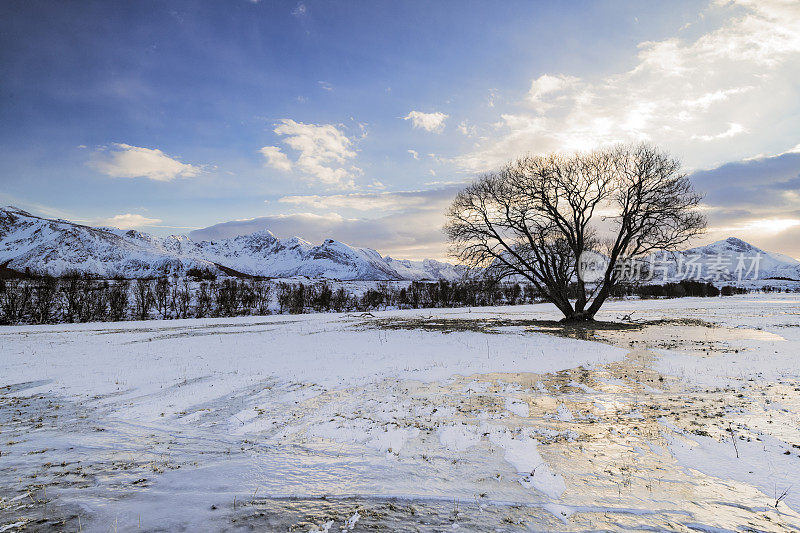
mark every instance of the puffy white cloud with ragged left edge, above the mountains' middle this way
{"type": "Point", "coordinates": [323, 153]}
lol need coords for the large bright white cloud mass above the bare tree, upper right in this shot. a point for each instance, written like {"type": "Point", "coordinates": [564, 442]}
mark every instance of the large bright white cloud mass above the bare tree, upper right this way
{"type": "Point", "coordinates": [737, 79]}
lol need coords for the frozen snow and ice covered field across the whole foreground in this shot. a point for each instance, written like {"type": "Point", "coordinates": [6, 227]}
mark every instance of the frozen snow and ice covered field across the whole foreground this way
{"type": "Point", "coordinates": [687, 418]}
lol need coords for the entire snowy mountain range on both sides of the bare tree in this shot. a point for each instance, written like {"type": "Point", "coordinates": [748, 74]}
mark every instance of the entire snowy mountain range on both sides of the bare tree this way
{"type": "Point", "coordinates": [42, 245]}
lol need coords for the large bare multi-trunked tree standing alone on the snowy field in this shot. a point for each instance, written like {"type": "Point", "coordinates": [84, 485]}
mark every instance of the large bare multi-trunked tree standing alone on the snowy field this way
{"type": "Point", "coordinates": [538, 216]}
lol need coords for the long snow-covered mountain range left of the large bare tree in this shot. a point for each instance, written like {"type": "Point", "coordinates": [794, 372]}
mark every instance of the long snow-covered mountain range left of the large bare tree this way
{"type": "Point", "coordinates": [59, 246]}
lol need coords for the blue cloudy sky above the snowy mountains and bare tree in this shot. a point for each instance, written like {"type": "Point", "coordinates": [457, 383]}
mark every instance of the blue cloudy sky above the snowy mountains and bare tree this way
{"type": "Point", "coordinates": [359, 120]}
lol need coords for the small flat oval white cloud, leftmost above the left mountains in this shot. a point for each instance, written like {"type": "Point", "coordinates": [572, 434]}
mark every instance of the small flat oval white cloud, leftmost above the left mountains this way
{"type": "Point", "coordinates": [126, 161]}
